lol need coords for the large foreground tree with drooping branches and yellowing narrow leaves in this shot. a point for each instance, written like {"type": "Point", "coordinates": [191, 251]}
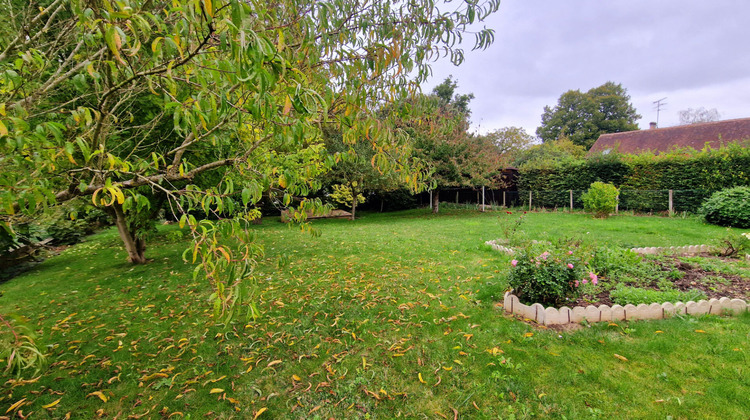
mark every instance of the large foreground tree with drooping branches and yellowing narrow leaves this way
{"type": "Point", "coordinates": [207, 104]}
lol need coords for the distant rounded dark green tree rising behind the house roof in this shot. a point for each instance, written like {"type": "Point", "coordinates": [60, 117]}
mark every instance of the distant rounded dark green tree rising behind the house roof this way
{"type": "Point", "coordinates": [583, 117]}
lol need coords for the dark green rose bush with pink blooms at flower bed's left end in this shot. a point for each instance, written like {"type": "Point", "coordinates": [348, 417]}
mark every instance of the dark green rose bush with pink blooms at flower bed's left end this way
{"type": "Point", "coordinates": [547, 274]}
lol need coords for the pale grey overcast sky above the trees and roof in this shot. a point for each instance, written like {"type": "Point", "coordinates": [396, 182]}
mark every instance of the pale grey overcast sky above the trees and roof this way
{"type": "Point", "coordinates": [694, 53]}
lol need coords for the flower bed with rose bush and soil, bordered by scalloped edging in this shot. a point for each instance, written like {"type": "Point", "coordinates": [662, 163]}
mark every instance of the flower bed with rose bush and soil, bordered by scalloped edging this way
{"type": "Point", "coordinates": [606, 284]}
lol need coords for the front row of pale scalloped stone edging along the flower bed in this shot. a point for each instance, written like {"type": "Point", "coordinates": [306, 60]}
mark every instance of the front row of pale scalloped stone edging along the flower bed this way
{"type": "Point", "coordinates": [565, 315]}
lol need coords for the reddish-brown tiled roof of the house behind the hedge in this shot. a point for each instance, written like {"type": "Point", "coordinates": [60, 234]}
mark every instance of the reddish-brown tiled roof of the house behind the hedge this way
{"type": "Point", "coordinates": [660, 140]}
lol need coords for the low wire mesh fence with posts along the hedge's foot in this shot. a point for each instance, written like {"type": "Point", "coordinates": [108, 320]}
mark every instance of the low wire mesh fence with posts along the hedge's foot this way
{"type": "Point", "coordinates": [639, 201]}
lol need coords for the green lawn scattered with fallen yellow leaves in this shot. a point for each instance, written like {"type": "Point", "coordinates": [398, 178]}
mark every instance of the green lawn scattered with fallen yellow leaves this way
{"type": "Point", "coordinates": [377, 318]}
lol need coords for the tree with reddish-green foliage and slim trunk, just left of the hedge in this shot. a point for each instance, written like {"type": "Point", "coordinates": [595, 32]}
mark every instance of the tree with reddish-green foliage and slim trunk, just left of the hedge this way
{"type": "Point", "coordinates": [439, 124]}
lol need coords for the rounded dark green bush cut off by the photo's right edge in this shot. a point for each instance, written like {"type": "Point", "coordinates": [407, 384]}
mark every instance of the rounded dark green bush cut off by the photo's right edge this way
{"type": "Point", "coordinates": [728, 207]}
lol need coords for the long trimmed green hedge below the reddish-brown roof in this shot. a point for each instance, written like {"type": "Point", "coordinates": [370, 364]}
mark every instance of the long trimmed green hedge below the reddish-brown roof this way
{"type": "Point", "coordinates": [643, 180]}
